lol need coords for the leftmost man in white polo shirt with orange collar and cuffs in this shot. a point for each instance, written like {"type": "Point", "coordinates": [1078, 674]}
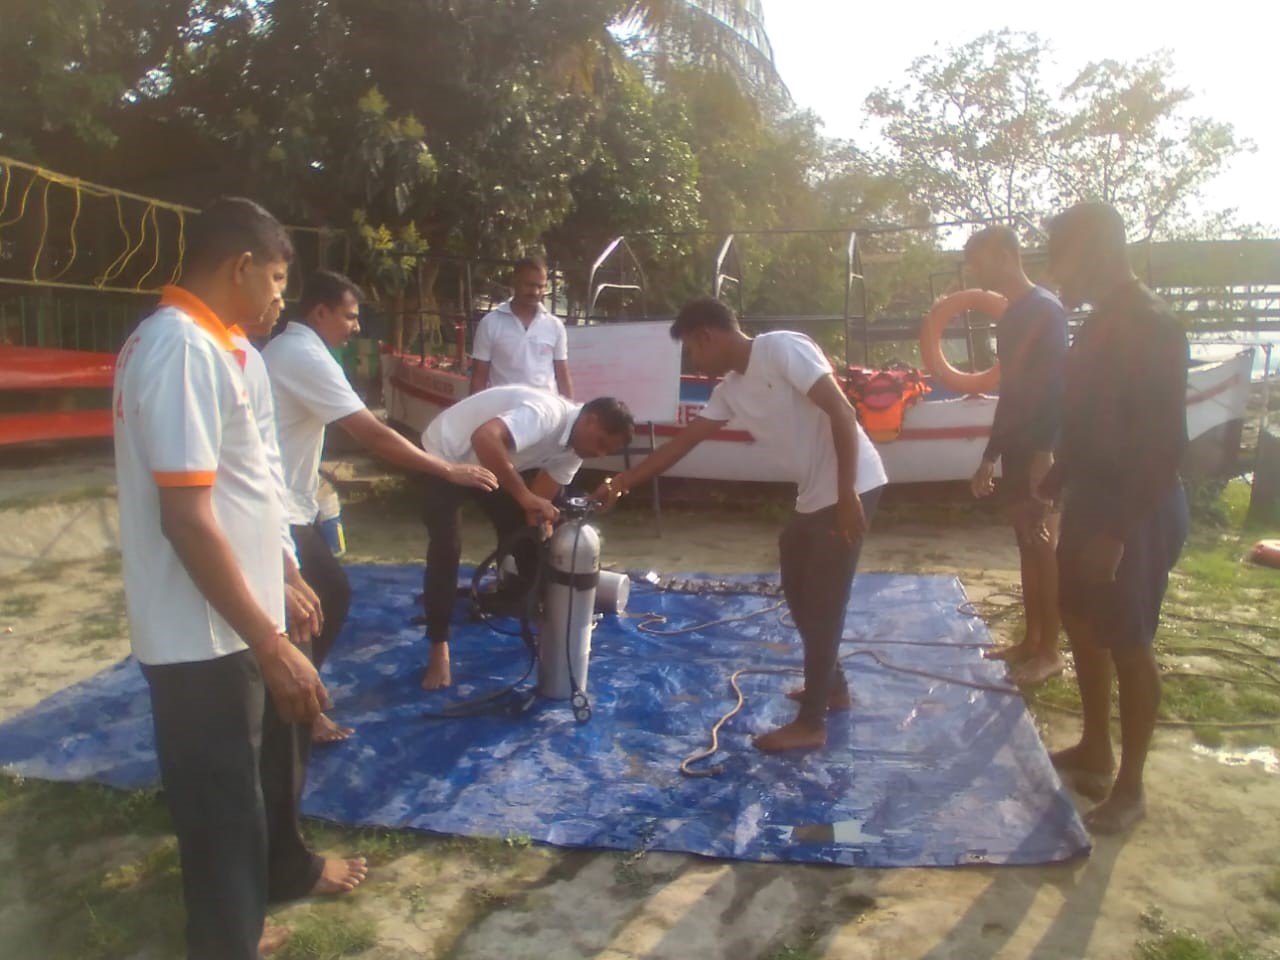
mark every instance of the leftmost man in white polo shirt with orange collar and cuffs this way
{"type": "Point", "coordinates": [204, 577]}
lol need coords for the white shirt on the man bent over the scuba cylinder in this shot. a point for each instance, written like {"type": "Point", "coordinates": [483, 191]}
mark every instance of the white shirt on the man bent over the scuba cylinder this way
{"type": "Point", "coordinates": [541, 424]}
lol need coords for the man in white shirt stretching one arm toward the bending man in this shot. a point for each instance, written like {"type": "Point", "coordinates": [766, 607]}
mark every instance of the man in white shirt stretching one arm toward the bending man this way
{"type": "Point", "coordinates": [312, 392]}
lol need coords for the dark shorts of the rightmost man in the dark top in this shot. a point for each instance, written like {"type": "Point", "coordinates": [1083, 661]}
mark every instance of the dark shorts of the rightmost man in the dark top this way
{"type": "Point", "coordinates": [1124, 614]}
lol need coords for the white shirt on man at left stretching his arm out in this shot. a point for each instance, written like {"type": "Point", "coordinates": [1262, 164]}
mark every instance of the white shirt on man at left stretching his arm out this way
{"type": "Point", "coordinates": [310, 394]}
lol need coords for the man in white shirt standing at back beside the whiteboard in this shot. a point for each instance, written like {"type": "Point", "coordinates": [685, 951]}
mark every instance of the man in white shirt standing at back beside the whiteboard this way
{"type": "Point", "coordinates": [522, 342]}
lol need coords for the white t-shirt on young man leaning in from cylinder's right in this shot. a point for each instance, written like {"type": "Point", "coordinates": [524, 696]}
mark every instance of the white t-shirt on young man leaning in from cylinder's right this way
{"type": "Point", "coordinates": [771, 401]}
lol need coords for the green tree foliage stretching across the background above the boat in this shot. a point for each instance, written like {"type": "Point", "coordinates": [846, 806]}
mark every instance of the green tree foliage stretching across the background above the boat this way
{"type": "Point", "coordinates": [491, 129]}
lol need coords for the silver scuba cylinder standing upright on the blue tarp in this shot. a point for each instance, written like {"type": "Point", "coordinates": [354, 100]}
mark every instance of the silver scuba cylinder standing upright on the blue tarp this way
{"type": "Point", "coordinates": [569, 610]}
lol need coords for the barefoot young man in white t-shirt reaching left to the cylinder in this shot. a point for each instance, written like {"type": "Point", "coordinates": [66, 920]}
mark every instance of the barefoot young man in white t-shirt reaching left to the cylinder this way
{"type": "Point", "coordinates": [780, 387]}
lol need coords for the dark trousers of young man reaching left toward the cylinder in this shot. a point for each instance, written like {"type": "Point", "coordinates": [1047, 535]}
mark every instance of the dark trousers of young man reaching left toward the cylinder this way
{"type": "Point", "coordinates": [817, 575]}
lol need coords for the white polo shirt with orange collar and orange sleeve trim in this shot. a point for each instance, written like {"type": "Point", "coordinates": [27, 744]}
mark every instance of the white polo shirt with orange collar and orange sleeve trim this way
{"type": "Point", "coordinates": [184, 418]}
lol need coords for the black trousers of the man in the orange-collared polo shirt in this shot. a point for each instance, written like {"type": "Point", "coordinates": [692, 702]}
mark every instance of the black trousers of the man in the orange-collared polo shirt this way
{"type": "Point", "coordinates": [232, 775]}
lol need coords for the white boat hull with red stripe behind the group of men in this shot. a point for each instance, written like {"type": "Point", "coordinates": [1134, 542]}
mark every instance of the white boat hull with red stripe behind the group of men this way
{"type": "Point", "coordinates": [941, 440]}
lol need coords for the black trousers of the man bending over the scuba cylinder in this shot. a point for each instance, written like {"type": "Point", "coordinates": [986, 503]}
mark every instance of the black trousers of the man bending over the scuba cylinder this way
{"type": "Point", "coordinates": [442, 513]}
